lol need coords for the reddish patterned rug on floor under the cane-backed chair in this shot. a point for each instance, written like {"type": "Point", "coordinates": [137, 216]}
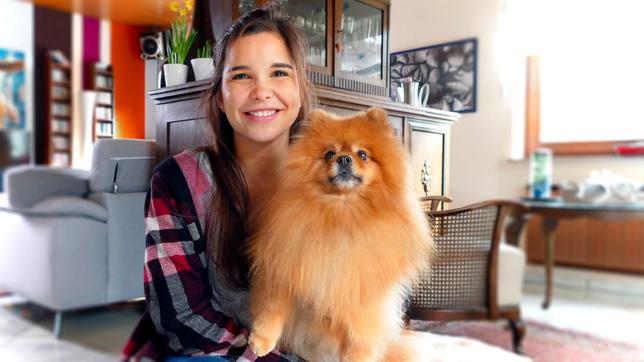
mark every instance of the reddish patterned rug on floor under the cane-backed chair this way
{"type": "Point", "coordinates": [542, 343]}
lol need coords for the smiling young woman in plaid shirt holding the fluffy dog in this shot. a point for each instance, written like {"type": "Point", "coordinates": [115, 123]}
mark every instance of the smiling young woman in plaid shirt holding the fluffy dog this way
{"type": "Point", "coordinates": [196, 270]}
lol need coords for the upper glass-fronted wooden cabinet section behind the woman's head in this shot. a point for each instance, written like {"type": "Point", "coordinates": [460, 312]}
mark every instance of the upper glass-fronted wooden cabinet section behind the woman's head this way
{"type": "Point", "coordinates": [348, 39]}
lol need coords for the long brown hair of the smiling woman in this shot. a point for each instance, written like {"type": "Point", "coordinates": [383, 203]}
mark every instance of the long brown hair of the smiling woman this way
{"type": "Point", "coordinates": [226, 229]}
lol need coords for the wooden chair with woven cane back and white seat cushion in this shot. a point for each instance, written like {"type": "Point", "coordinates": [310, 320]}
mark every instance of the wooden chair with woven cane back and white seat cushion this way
{"type": "Point", "coordinates": [473, 275]}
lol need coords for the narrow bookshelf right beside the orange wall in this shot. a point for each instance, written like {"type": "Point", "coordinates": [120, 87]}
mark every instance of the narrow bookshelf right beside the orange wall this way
{"type": "Point", "coordinates": [103, 85]}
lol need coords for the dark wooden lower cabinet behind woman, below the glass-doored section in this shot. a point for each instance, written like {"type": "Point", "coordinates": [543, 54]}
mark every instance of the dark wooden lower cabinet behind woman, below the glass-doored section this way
{"type": "Point", "coordinates": [424, 132]}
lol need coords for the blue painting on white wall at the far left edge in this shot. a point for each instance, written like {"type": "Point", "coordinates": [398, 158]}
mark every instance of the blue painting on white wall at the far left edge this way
{"type": "Point", "coordinates": [12, 90]}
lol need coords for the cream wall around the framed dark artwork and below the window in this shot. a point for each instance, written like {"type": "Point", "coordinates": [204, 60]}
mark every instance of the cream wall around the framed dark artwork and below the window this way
{"type": "Point", "coordinates": [481, 141]}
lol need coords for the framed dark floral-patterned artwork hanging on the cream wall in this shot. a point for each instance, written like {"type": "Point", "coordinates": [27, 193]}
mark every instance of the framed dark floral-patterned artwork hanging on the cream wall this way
{"type": "Point", "coordinates": [449, 69]}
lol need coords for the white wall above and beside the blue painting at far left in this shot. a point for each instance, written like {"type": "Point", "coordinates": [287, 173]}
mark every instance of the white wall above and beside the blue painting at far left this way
{"type": "Point", "coordinates": [17, 33]}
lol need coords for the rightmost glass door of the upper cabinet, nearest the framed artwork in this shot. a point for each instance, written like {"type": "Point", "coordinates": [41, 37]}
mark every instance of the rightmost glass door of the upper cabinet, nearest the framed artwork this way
{"type": "Point", "coordinates": [361, 27]}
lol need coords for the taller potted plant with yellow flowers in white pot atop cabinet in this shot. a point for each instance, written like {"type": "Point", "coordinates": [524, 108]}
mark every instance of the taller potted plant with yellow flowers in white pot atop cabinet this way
{"type": "Point", "coordinates": [181, 38]}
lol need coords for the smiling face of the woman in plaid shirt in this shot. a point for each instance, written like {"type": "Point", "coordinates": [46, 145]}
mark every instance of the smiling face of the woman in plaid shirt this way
{"type": "Point", "coordinates": [259, 91]}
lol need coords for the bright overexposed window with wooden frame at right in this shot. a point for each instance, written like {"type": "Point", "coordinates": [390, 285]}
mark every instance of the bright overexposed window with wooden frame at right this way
{"type": "Point", "coordinates": [585, 80]}
